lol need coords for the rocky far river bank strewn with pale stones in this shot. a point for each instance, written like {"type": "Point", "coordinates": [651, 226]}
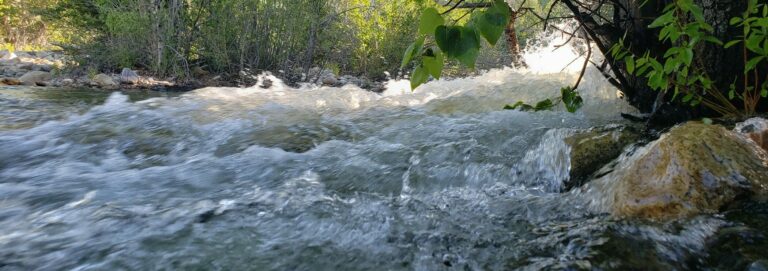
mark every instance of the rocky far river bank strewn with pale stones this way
{"type": "Point", "coordinates": [55, 69]}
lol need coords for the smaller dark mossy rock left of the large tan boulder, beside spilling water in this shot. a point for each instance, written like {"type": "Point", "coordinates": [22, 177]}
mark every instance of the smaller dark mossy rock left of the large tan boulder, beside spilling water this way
{"type": "Point", "coordinates": [594, 148]}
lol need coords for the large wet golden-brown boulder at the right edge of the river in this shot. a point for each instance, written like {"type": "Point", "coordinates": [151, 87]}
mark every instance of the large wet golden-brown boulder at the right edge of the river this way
{"type": "Point", "coordinates": [695, 168]}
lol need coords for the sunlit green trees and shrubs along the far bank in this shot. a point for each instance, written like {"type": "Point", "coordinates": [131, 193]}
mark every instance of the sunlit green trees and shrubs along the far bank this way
{"type": "Point", "coordinates": [234, 38]}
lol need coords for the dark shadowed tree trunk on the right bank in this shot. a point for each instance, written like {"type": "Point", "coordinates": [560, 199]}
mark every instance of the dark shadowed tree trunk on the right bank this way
{"type": "Point", "coordinates": [633, 18]}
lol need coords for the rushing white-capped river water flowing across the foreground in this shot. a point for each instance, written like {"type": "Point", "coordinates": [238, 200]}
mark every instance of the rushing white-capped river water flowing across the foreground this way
{"type": "Point", "coordinates": [321, 178]}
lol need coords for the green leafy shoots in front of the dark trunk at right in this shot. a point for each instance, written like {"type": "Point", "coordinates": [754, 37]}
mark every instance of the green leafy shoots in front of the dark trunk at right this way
{"type": "Point", "coordinates": [683, 28]}
